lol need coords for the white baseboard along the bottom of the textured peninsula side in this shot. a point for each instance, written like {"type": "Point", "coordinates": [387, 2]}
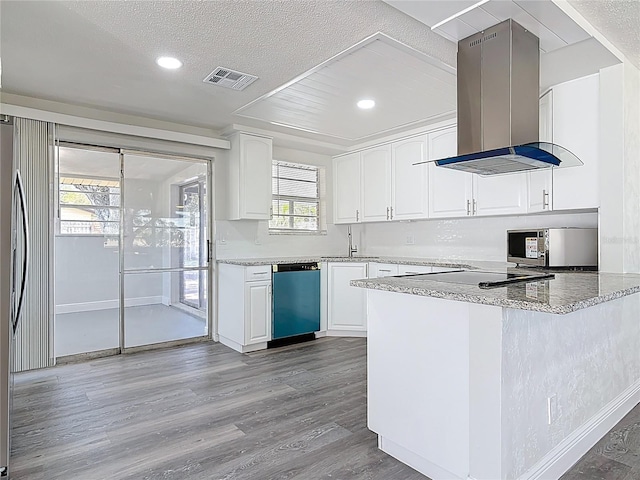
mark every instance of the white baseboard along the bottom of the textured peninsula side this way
{"type": "Point", "coordinates": [564, 455]}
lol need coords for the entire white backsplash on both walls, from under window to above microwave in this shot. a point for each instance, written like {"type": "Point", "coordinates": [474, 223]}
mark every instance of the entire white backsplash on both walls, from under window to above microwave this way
{"type": "Point", "coordinates": [480, 238]}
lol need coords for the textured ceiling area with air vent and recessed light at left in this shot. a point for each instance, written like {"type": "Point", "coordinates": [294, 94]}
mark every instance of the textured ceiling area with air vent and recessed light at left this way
{"type": "Point", "coordinates": [102, 54]}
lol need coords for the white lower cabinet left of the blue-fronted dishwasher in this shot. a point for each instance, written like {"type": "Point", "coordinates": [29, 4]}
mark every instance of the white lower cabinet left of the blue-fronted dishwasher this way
{"type": "Point", "coordinates": [244, 306]}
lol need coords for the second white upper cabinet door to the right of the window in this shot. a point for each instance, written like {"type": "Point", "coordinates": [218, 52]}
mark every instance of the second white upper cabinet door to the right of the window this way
{"type": "Point", "coordinates": [376, 183]}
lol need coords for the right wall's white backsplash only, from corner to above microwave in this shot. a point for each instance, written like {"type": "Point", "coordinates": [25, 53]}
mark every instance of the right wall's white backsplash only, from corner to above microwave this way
{"type": "Point", "coordinates": [476, 238]}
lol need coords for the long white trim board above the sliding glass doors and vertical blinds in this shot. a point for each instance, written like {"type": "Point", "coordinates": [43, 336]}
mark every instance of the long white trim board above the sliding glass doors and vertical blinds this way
{"type": "Point", "coordinates": [102, 125]}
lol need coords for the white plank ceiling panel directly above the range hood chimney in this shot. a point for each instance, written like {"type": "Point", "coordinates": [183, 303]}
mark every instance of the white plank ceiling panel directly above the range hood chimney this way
{"type": "Point", "coordinates": [554, 29]}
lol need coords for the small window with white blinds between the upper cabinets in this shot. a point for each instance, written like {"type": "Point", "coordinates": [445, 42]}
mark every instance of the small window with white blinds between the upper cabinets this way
{"type": "Point", "coordinates": [296, 198]}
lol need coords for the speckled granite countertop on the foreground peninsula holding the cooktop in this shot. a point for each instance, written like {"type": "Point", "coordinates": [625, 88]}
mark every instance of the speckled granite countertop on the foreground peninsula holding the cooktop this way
{"type": "Point", "coordinates": [566, 293]}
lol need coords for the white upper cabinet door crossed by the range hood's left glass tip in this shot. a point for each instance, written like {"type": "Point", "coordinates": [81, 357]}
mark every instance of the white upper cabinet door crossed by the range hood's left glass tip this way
{"type": "Point", "coordinates": [450, 191]}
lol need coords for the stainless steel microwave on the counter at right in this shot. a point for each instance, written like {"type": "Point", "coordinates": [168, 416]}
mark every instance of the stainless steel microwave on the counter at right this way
{"type": "Point", "coordinates": [553, 247]}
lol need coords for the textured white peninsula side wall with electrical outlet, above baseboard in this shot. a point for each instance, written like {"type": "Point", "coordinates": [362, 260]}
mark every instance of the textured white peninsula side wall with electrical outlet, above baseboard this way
{"type": "Point", "coordinates": [586, 359]}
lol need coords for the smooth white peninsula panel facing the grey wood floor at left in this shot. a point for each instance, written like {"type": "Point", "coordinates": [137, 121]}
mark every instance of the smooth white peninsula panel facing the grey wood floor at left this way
{"type": "Point", "coordinates": [418, 380]}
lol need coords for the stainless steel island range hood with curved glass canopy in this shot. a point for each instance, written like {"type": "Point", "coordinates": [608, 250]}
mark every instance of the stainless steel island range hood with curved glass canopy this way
{"type": "Point", "coordinates": [498, 105]}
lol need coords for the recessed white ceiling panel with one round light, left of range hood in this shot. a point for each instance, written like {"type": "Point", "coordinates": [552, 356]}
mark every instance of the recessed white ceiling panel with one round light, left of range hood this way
{"type": "Point", "coordinates": [409, 88]}
